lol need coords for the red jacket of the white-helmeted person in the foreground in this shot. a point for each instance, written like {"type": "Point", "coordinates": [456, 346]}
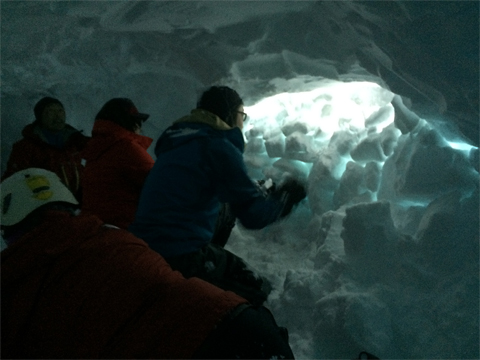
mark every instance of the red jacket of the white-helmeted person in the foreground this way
{"type": "Point", "coordinates": [72, 288]}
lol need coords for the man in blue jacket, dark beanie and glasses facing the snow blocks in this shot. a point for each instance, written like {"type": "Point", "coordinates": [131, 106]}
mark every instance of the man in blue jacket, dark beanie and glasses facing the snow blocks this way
{"type": "Point", "coordinates": [200, 166]}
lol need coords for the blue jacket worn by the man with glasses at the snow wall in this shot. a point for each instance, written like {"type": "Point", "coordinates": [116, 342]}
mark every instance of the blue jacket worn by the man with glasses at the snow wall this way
{"type": "Point", "coordinates": [199, 165]}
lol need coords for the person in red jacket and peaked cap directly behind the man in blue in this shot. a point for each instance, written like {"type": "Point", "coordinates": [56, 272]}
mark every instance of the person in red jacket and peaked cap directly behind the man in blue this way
{"type": "Point", "coordinates": [117, 163]}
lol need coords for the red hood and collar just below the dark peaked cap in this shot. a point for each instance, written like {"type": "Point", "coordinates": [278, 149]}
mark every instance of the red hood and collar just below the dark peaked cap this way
{"type": "Point", "coordinates": [105, 134]}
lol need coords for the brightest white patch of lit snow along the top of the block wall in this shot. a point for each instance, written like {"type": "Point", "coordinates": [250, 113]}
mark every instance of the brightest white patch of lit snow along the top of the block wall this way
{"type": "Point", "coordinates": [329, 107]}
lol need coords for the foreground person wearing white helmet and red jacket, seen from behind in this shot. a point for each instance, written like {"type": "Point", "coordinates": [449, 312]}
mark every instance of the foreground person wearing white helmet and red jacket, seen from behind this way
{"type": "Point", "coordinates": [73, 287]}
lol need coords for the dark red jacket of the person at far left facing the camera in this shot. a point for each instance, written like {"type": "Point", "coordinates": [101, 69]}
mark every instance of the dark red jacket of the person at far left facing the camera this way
{"type": "Point", "coordinates": [35, 151]}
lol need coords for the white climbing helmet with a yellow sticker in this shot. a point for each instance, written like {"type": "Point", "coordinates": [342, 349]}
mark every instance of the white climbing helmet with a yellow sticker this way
{"type": "Point", "coordinates": [27, 190]}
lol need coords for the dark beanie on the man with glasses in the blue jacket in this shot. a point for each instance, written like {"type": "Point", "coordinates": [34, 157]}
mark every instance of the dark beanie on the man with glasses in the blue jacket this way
{"type": "Point", "coordinates": [221, 101]}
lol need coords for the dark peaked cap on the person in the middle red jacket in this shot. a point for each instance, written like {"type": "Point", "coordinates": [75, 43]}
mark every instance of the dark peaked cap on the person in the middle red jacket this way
{"type": "Point", "coordinates": [123, 112]}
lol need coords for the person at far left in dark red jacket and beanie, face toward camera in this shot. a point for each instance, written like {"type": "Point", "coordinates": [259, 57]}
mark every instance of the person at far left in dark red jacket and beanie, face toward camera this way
{"type": "Point", "coordinates": [50, 143]}
